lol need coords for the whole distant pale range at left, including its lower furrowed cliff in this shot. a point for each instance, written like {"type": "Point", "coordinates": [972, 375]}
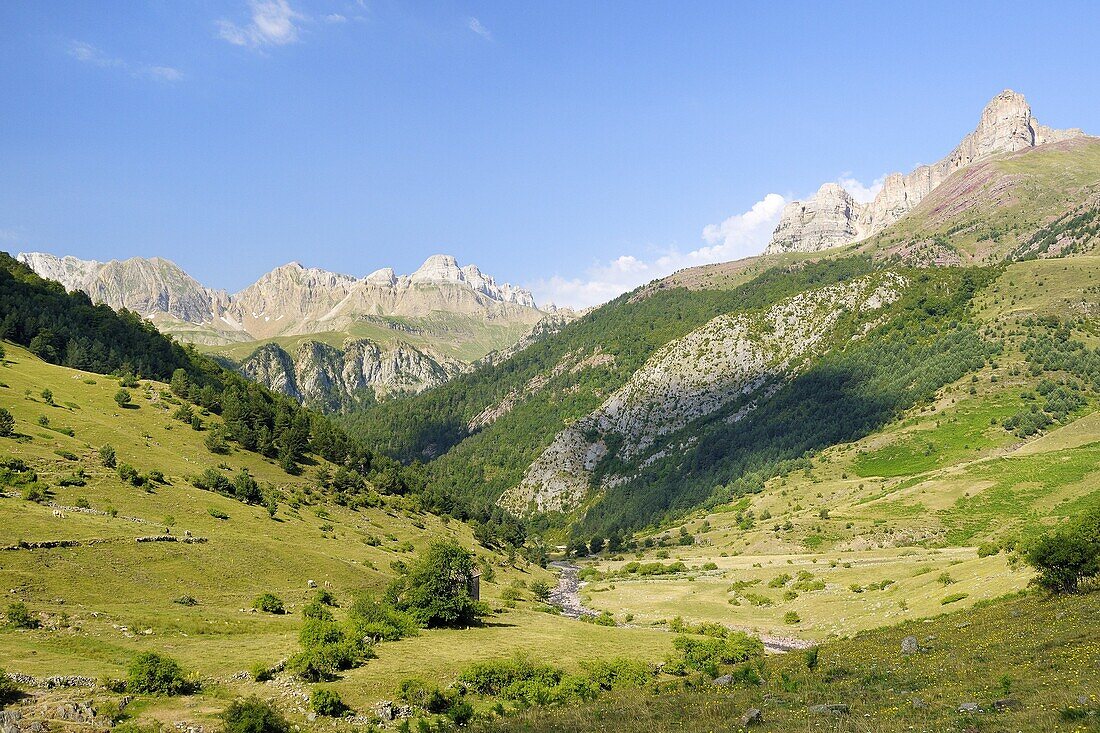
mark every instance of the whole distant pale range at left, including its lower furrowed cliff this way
{"type": "Point", "coordinates": [322, 337]}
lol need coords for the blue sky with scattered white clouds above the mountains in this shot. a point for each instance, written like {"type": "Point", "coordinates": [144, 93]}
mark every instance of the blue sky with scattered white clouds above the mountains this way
{"type": "Point", "coordinates": [575, 148]}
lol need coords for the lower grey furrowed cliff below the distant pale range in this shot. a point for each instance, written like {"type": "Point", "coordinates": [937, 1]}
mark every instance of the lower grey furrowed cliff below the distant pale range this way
{"type": "Point", "coordinates": [332, 378]}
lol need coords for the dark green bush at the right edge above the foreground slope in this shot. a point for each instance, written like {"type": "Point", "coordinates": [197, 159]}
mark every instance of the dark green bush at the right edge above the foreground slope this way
{"type": "Point", "coordinates": [1069, 556]}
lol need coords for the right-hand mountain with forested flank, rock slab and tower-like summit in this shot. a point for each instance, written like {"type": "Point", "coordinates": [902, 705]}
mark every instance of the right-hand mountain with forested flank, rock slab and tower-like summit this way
{"type": "Point", "coordinates": [721, 379]}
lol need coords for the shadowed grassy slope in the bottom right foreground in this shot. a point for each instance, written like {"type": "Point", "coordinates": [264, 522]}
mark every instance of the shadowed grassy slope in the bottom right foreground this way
{"type": "Point", "coordinates": [1025, 664]}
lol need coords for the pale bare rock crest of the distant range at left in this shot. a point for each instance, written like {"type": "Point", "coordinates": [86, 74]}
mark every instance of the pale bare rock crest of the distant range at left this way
{"type": "Point", "coordinates": [289, 301]}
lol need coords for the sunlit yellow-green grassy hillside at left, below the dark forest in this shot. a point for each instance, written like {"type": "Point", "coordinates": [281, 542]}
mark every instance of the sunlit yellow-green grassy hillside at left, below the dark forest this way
{"type": "Point", "coordinates": [108, 598]}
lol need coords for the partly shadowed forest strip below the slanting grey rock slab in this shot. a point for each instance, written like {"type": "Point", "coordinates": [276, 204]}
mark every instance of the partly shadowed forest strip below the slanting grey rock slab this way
{"type": "Point", "coordinates": [923, 343]}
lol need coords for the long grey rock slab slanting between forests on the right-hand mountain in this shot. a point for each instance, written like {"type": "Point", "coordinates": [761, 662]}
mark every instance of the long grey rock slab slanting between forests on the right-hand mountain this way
{"type": "Point", "coordinates": [730, 364]}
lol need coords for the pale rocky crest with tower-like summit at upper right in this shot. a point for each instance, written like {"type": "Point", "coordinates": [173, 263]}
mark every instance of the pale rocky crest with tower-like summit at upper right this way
{"type": "Point", "coordinates": [832, 218]}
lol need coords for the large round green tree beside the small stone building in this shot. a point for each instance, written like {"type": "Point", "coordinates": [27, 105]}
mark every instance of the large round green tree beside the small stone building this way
{"type": "Point", "coordinates": [435, 589]}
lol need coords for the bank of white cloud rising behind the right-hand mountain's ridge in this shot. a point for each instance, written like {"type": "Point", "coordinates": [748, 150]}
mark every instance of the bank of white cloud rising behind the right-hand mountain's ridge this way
{"type": "Point", "coordinates": [738, 237]}
